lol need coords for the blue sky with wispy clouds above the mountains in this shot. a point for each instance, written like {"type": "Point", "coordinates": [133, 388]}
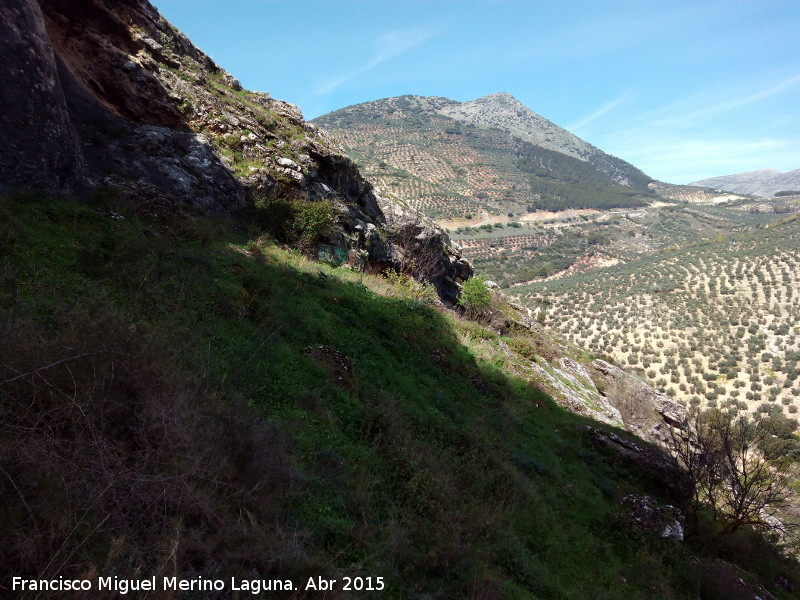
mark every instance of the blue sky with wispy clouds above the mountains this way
{"type": "Point", "coordinates": [683, 90]}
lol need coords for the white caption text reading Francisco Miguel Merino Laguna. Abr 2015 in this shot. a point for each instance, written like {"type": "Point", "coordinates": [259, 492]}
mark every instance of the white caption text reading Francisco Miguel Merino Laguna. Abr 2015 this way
{"type": "Point", "coordinates": [198, 584]}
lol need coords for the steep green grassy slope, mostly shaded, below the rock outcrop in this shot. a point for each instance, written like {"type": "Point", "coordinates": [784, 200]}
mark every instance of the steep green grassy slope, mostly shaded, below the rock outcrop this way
{"type": "Point", "coordinates": [187, 398]}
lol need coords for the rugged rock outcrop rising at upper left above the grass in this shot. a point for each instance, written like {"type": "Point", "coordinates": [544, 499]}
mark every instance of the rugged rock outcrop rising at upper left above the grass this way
{"type": "Point", "coordinates": [95, 93]}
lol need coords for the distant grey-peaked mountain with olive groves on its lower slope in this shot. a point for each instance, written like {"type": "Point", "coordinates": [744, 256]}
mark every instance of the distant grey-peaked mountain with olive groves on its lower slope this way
{"type": "Point", "coordinates": [493, 154]}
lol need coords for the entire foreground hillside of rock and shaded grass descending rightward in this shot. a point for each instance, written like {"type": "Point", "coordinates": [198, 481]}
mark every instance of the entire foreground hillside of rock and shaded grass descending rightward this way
{"type": "Point", "coordinates": [222, 359]}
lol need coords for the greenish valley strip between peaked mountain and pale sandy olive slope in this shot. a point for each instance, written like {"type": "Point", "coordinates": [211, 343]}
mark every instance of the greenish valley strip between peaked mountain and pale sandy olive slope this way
{"type": "Point", "coordinates": [512, 252]}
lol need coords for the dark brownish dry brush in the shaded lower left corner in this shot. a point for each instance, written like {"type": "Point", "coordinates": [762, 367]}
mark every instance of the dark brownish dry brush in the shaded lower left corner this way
{"type": "Point", "coordinates": [109, 451]}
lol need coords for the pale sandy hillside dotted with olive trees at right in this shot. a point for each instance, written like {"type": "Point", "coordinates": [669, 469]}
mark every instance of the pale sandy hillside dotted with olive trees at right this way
{"type": "Point", "coordinates": [712, 324]}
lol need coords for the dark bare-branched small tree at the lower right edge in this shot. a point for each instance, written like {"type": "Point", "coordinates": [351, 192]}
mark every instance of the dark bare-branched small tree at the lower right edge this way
{"type": "Point", "coordinates": [739, 469]}
